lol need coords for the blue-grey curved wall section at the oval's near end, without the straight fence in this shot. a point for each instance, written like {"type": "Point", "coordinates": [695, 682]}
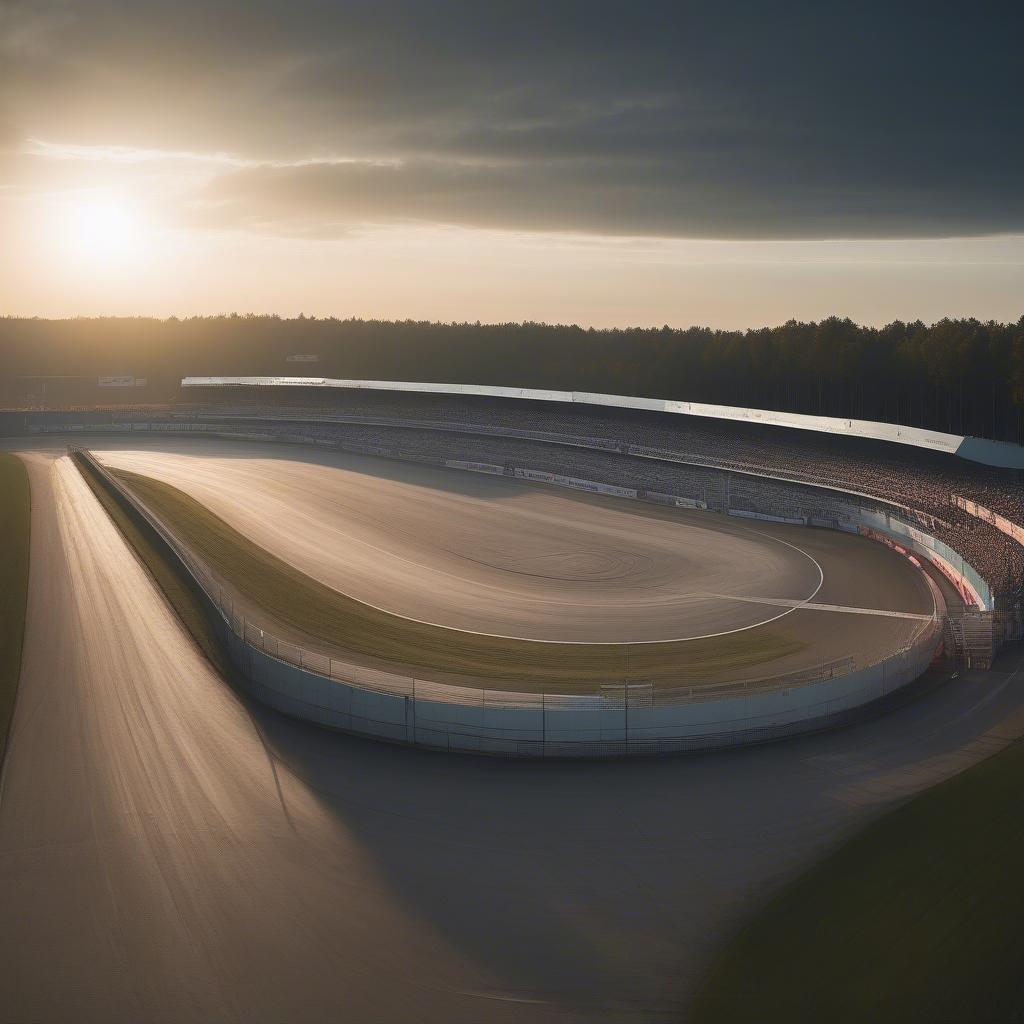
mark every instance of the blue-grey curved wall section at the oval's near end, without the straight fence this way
{"type": "Point", "coordinates": [572, 727]}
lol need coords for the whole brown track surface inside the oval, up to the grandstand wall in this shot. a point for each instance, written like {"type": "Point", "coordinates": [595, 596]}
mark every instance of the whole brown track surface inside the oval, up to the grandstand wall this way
{"type": "Point", "coordinates": [496, 557]}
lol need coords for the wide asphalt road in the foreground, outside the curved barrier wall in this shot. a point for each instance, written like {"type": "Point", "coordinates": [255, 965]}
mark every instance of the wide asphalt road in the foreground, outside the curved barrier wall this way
{"type": "Point", "coordinates": [170, 852]}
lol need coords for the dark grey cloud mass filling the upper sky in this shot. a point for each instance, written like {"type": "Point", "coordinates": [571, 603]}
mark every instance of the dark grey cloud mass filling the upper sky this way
{"type": "Point", "coordinates": [694, 120]}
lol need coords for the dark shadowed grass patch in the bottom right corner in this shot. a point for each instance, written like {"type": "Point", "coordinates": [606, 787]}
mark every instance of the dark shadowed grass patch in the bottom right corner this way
{"type": "Point", "coordinates": [916, 921]}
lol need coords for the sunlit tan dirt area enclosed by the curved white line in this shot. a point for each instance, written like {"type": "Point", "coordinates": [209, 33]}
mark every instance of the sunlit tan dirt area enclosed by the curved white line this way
{"type": "Point", "coordinates": [487, 554]}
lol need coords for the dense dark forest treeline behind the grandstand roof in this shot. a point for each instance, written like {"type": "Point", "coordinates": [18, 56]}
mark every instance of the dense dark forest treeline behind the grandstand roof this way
{"type": "Point", "coordinates": [963, 376]}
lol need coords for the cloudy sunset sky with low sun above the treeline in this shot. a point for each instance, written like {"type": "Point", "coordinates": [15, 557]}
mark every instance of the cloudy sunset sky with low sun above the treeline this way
{"type": "Point", "coordinates": [609, 164]}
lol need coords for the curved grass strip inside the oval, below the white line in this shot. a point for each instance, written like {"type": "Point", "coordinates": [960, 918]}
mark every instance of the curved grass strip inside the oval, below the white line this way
{"type": "Point", "coordinates": [307, 607]}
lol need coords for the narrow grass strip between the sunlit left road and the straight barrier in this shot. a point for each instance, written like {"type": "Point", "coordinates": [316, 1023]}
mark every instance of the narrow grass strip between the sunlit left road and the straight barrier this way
{"type": "Point", "coordinates": [178, 586]}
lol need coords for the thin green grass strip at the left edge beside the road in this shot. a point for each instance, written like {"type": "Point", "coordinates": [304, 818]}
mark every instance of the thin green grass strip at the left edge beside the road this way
{"type": "Point", "coordinates": [16, 529]}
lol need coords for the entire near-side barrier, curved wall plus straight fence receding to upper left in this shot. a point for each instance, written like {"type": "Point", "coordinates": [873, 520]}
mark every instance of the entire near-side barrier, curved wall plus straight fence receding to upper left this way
{"type": "Point", "coordinates": [620, 719]}
